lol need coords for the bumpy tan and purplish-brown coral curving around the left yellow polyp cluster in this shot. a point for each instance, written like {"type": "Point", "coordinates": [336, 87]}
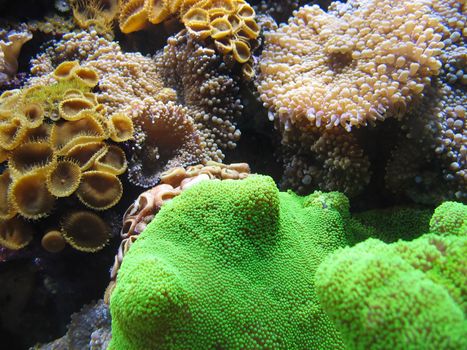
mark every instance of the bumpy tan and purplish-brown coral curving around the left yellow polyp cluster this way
{"type": "Point", "coordinates": [186, 89]}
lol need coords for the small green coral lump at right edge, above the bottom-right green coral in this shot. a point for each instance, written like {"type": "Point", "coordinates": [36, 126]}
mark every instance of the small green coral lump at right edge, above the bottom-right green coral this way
{"type": "Point", "coordinates": [450, 218]}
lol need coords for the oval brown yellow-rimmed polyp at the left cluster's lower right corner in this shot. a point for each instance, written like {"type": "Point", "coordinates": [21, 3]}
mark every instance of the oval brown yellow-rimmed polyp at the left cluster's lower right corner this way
{"type": "Point", "coordinates": [99, 190]}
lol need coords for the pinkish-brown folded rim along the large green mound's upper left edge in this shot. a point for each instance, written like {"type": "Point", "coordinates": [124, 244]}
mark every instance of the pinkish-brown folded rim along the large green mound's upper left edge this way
{"type": "Point", "coordinates": [172, 183]}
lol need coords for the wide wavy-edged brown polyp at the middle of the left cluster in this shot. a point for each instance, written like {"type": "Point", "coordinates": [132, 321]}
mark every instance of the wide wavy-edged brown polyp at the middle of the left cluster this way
{"type": "Point", "coordinates": [67, 134]}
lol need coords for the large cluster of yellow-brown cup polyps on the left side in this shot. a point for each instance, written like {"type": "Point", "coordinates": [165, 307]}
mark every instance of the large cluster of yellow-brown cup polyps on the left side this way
{"type": "Point", "coordinates": [54, 140]}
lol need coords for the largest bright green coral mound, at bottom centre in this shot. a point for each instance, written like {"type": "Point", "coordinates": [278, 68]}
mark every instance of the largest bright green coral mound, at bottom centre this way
{"type": "Point", "coordinates": [228, 265]}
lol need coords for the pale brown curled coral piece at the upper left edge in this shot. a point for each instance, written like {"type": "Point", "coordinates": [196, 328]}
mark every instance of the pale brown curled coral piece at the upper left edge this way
{"type": "Point", "coordinates": [9, 52]}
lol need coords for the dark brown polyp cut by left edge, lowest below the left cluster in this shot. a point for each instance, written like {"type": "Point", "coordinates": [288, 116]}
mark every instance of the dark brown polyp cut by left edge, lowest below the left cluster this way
{"type": "Point", "coordinates": [15, 233]}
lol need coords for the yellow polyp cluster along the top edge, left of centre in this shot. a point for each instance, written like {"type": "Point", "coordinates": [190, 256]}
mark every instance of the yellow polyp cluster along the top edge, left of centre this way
{"type": "Point", "coordinates": [230, 24]}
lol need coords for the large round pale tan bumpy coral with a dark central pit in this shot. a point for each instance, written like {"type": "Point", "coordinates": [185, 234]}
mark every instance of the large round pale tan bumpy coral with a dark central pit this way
{"type": "Point", "coordinates": [349, 67]}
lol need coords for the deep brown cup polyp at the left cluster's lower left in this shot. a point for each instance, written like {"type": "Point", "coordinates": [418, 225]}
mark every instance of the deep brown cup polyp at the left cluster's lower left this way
{"type": "Point", "coordinates": [30, 196]}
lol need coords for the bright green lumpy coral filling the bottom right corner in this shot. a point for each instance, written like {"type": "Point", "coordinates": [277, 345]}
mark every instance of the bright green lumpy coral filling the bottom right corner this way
{"type": "Point", "coordinates": [404, 295]}
